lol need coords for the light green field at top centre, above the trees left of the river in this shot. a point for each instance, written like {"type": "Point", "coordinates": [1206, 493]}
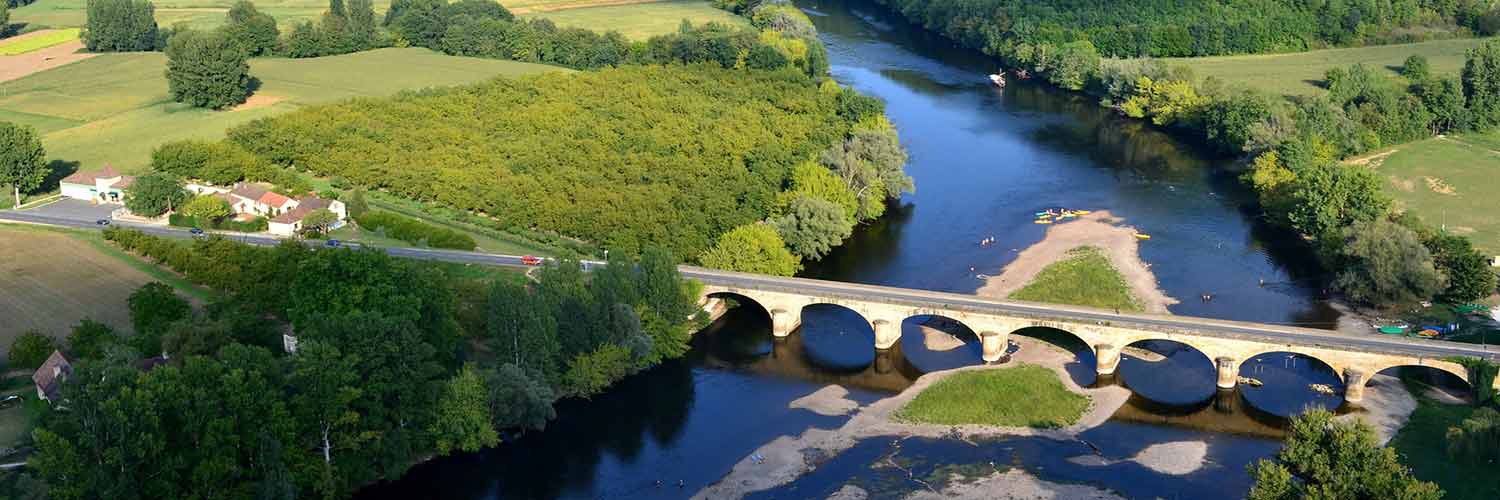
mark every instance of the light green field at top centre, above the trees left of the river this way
{"type": "Point", "coordinates": [637, 20]}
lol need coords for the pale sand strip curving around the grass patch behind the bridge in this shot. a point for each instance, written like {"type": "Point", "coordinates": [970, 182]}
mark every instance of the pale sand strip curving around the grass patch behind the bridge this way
{"type": "Point", "coordinates": [1099, 229]}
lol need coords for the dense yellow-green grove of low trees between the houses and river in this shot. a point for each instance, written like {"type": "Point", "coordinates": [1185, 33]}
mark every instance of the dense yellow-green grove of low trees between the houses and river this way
{"type": "Point", "coordinates": [667, 155]}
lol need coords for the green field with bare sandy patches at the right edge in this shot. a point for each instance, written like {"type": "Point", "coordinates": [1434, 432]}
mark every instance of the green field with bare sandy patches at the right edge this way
{"type": "Point", "coordinates": [1451, 182]}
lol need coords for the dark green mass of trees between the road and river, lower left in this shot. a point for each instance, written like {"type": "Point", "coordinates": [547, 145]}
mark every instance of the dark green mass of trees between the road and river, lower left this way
{"type": "Point", "coordinates": [395, 360]}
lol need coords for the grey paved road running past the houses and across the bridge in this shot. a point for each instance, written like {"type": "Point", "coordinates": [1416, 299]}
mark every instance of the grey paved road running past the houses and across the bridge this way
{"type": "Point", "coordinates": [917, 298]}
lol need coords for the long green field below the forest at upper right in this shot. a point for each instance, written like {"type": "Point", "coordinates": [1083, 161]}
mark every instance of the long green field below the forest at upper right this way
{"type": "Point", "coordinates": [1303, 73]}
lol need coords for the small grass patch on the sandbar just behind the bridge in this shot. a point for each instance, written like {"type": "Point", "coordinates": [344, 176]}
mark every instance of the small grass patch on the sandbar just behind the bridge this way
{"type": "Point", "coordinates": [1087, 279]}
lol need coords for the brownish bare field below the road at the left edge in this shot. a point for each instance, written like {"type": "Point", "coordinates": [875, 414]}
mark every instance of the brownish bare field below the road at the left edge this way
{"type": "Point", "coordinates": [56, 279]}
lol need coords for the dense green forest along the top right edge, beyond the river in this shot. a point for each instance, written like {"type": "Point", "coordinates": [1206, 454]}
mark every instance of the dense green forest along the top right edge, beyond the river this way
{"type": "Point", "coordinates": [1027, 29]}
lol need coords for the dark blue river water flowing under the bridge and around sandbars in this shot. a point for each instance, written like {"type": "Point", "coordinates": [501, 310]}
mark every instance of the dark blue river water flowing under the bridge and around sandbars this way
{"type": "Point", "coordinates": [983, 160]}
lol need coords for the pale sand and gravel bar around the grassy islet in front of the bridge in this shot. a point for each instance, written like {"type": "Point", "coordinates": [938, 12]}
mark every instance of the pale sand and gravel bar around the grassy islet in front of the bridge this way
{"type": "Point", "coordinates": [788, 457]}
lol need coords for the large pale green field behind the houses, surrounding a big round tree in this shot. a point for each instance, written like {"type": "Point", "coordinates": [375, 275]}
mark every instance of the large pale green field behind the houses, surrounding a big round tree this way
{"type": "Point", "coordinates": [115, 107]}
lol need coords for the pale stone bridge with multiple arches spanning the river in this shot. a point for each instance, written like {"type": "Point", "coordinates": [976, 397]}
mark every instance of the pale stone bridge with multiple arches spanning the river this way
{"type": "Point", "coordinates": [1355, 358]}
